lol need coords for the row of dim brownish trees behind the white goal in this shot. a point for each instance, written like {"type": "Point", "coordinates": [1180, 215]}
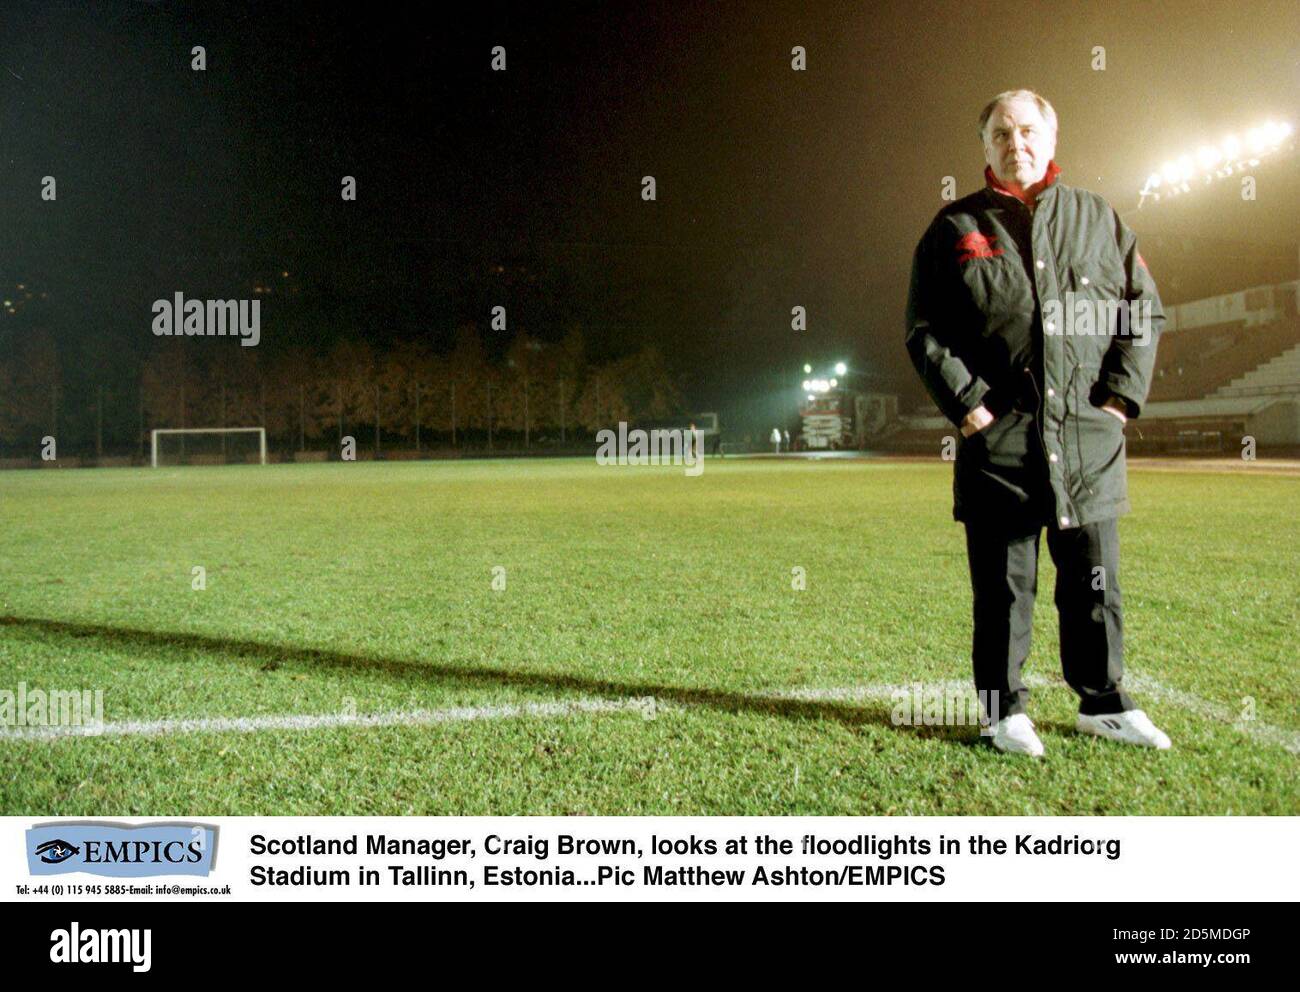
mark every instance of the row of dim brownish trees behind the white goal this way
{"type": "Point", "coordinates": [397, 396]}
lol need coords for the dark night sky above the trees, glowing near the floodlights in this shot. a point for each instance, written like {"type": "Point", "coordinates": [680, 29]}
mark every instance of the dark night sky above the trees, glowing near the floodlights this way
{"type": "Point", "coordinates": [775, 188]}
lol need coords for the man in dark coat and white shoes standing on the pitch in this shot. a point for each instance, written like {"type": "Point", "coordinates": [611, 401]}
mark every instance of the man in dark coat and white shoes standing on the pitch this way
{"type": "Point", "coordinates": [1042, 398]}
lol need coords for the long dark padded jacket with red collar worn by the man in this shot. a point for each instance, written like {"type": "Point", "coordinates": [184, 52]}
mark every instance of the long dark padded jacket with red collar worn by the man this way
{"type": "Point", "coordinates": [989, 279]}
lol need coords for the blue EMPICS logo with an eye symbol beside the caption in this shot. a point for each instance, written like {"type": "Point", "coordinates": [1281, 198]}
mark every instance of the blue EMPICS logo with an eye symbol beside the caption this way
{"type": "Point", "coordinates": [123, 851]}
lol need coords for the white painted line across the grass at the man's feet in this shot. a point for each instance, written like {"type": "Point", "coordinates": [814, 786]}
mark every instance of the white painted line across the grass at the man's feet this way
{"type": "Point", "coordinates": [648, 707]}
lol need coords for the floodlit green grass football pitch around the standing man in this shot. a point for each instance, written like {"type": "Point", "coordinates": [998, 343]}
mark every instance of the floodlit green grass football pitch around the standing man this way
{"type": "Point", "coordinates": [369, 590]}
